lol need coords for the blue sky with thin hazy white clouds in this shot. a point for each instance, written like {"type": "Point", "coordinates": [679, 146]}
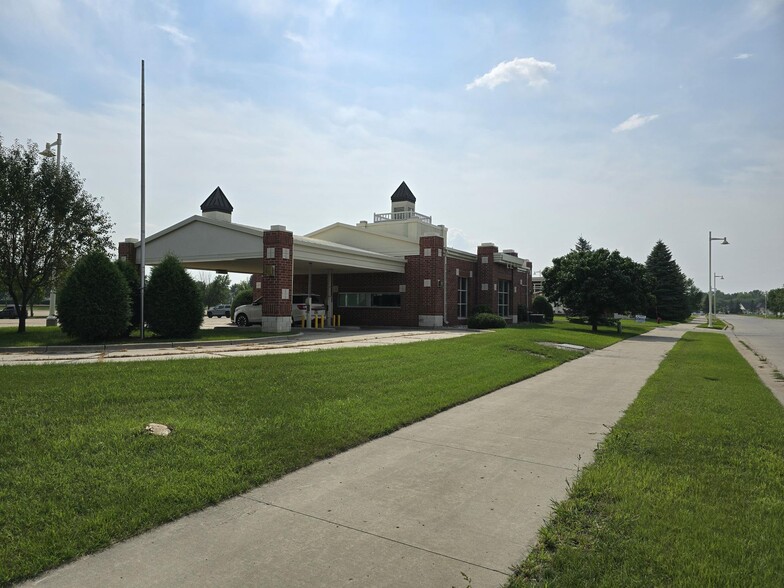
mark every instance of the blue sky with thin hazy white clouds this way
{"type": "Point", "coordinates": [523, 123]}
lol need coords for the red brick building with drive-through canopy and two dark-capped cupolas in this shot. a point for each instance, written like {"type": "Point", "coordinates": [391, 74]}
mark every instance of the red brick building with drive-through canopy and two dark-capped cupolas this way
{"type": "Point", "coordinates": [395, 271]}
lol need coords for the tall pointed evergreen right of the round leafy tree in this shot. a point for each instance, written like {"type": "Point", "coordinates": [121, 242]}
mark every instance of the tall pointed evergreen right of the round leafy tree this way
{"type": "Point", "coordinates": [668, 285]}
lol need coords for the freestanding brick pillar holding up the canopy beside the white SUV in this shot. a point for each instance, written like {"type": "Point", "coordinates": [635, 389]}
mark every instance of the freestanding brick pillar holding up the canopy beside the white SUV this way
{"type": "Point", "coordinates": [277, 283]}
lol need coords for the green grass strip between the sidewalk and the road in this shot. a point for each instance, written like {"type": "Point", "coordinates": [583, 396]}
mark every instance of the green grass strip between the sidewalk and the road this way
{"type": "Point", "coordinates": [686, 490]}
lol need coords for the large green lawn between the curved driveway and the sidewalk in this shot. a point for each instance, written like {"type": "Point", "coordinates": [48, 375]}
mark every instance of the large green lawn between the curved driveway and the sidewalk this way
{"type": "Point", "coordinates": [77, 473]}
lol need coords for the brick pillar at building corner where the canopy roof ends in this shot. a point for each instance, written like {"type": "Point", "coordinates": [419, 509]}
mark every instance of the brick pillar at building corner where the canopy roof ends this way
{"type": "Point", "coordinates": [425, 281]}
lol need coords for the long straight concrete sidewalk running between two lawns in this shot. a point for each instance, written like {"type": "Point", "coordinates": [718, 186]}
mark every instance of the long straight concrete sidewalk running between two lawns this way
{"type": "Point", "coordinates": [464, 491]}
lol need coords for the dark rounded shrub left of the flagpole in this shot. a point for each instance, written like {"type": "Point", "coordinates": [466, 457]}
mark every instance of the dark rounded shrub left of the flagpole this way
{"type": "Point", "coordinates": [94, 302]}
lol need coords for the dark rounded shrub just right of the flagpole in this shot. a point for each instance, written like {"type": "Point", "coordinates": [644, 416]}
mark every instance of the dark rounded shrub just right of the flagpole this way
{"type": "Point", "coordinates": [172, 301]}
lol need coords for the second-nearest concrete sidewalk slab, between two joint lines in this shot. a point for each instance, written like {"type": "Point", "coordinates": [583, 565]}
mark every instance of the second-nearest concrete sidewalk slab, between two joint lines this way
{"type": "Point", "coordinates": [439, 499]}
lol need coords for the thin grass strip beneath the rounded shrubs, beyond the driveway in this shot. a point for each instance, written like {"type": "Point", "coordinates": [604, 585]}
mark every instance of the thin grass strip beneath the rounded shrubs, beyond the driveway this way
{"type": "Point", "coordinates": [44, 336]}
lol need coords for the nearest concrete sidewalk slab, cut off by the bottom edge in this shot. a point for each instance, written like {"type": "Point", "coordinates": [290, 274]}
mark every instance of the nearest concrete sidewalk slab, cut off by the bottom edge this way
{"type": "Point", "coordinates": [246, 543]}
